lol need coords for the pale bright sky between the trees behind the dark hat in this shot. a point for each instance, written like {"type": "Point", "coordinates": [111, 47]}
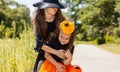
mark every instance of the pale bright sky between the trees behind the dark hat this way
{"type": "Point", "coordinates": [29, 4]}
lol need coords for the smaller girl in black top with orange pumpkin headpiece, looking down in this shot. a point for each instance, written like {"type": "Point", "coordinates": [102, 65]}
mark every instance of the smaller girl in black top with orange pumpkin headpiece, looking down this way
{"type": "Point", "coordinates": [63, 41]}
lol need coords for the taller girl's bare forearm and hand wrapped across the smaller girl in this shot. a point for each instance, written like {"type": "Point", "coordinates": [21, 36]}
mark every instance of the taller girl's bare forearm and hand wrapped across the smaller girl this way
{"type": "Point", "coordinates": [53, 51]}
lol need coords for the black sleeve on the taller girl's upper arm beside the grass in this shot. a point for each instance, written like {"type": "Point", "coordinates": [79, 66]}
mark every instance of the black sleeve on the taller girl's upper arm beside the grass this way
{"type": "Point", "coordinates": [39, 43]}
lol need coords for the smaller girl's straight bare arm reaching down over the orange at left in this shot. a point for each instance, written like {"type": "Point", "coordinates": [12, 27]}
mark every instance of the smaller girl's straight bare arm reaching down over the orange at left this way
{"type": "Point", "coordinates": [54, 62]}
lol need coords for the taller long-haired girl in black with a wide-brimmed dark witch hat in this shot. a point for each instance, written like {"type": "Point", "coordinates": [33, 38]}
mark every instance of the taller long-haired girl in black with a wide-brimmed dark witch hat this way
{"type": "Point", "coordinates": [47, 17]}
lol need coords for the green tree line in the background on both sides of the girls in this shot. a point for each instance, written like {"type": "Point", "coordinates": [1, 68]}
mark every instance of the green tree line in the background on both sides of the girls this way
{"type": "Point", "coordinates": [94, 19]}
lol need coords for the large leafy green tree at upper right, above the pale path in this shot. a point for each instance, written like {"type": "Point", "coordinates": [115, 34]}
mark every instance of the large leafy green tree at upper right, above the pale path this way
{"type": "Point", "coordinates": [98, 13]}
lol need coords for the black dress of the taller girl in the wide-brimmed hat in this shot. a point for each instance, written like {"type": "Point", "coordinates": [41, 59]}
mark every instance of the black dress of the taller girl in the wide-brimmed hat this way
{"type": "Point", "coordinates": [39, 42]}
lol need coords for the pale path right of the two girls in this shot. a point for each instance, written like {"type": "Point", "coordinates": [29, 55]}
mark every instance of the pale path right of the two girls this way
{"type": "Point", "coordinates": [94, 59]}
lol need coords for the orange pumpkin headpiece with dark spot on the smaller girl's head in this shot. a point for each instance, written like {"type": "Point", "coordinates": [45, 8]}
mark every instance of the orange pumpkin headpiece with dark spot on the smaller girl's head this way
{"type": "Point", "coordinates": [67, 27]}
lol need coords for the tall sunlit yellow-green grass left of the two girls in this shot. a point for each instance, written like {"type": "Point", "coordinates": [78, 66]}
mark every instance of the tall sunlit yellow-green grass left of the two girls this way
{"type": "Point", "coordinates": [17, 55]}
